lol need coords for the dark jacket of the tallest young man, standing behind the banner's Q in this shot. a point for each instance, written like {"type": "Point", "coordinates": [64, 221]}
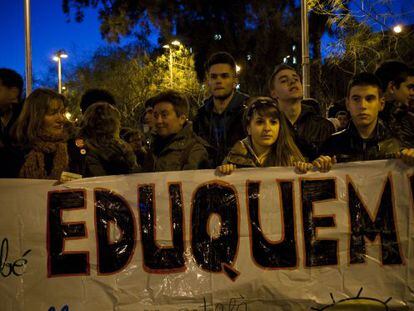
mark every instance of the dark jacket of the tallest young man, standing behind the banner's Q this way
{"type": "Point", "coordinates": [223, 130]}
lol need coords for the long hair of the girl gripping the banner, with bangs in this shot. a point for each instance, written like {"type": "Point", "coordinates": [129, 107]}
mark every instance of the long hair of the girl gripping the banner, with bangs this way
{"type": "Point", "coordinates": [285, 152]}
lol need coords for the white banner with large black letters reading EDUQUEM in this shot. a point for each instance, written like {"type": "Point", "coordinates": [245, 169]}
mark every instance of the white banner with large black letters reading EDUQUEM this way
{"type": "Point", "coordinates": [259, 239]}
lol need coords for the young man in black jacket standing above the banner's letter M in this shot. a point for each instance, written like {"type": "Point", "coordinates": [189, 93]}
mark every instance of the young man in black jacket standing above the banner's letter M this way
{"type": "Point", "coordinates": [366, 138]}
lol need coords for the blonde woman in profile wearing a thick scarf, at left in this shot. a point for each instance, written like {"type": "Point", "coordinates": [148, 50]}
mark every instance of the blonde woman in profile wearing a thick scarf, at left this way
{"type": "Point", "coordinates": [40, 137]}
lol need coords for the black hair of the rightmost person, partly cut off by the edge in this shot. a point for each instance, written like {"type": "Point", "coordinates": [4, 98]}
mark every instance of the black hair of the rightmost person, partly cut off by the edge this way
{"type": "Point", "coordinates": [392, 71]}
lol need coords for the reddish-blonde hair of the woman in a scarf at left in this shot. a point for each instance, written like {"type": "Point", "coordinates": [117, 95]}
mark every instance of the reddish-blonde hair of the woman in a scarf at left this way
{"type": "Point", "coordinates": [28, 126]}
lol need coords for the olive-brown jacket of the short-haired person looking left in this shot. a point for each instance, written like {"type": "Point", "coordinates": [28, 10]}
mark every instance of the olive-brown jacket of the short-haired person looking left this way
{"type": "Point", "coordinates": [183, 151]}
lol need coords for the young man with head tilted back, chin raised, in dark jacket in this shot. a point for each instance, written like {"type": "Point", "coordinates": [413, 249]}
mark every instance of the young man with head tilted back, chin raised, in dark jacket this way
{"type": "Point", "coordinates": [309, 129]}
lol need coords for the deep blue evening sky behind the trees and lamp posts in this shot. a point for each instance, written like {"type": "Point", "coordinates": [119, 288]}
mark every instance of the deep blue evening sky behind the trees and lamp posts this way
{"type": "Point", "coordinates": [52, 31]}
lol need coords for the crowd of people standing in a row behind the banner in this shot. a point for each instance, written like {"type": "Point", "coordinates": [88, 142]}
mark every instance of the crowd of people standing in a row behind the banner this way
{"type": "Point", "coordinates": [230, 130]}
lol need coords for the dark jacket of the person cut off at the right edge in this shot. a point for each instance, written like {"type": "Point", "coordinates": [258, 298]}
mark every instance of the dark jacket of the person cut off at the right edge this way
{"type": "Point", "coordinates": [400, 121]}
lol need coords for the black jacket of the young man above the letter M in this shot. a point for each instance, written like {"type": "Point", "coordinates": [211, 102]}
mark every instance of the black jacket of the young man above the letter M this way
{"type": "Point", "coordinates": [348, 146]}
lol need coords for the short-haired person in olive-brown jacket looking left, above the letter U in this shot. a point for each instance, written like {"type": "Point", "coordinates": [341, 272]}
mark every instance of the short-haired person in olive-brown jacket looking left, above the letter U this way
{"type": "Point", "coordinates": [175, 146]}
